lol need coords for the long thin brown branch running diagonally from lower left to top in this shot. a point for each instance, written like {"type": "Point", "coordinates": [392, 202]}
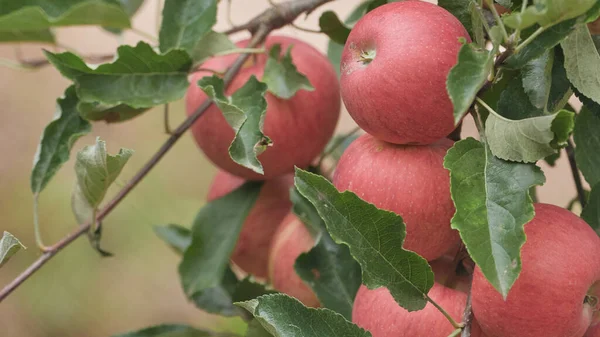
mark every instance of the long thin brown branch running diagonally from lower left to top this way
{"type": "Point", "coordinates": [260, 27]}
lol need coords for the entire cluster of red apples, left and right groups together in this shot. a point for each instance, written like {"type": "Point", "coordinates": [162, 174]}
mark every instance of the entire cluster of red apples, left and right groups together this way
{"type": "Point", "coordinates": [393, 83]}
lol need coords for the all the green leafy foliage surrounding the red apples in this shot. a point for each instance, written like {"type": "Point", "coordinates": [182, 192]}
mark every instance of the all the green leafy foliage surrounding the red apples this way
{"type": "Point", "coordinates": [516, 90]}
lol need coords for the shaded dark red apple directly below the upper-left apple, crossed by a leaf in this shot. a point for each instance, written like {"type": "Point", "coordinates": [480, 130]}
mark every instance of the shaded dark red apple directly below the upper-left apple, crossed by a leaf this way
{"type": "Point", "coordinates": [251, 252]}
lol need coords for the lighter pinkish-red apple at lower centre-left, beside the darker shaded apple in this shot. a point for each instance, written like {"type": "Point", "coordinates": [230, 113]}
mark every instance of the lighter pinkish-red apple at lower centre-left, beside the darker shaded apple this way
{"type": "Point", "coordinates": [291, 240]}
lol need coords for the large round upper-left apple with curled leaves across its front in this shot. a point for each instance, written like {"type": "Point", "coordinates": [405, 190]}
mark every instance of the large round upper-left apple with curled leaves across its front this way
{"type": "Point", "coordinates": [299, 127]}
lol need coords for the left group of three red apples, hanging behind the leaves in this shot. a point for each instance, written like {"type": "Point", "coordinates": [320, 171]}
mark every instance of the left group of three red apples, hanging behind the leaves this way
{"type": "Point", "coordinates": [272, 237]}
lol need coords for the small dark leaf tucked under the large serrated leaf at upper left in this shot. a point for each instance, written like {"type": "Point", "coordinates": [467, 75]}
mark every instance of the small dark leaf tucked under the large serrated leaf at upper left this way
{"type": "Point", "coordinates": [111, 114]}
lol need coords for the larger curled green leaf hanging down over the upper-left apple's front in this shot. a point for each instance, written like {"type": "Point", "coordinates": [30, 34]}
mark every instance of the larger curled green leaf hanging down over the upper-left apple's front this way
{"type": "Point", "coordinates": [245, 112]}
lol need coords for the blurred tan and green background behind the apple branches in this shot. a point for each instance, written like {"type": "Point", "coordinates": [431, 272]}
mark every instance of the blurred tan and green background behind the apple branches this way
{"type": "Point", "coordinates": [78, 293]}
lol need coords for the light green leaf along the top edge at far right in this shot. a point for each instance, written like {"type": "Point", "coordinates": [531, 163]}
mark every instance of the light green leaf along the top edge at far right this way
{"type": "Point", "coordinates": [547, 13]}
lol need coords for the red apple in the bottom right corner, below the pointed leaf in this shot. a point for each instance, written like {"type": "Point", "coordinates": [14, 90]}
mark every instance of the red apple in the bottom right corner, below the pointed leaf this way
{"type": "Point", "coordinates": [560, 265]}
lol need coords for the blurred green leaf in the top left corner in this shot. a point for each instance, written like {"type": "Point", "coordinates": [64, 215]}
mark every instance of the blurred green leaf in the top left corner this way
{"type": "Point", "coordinates": [39, 15]}
